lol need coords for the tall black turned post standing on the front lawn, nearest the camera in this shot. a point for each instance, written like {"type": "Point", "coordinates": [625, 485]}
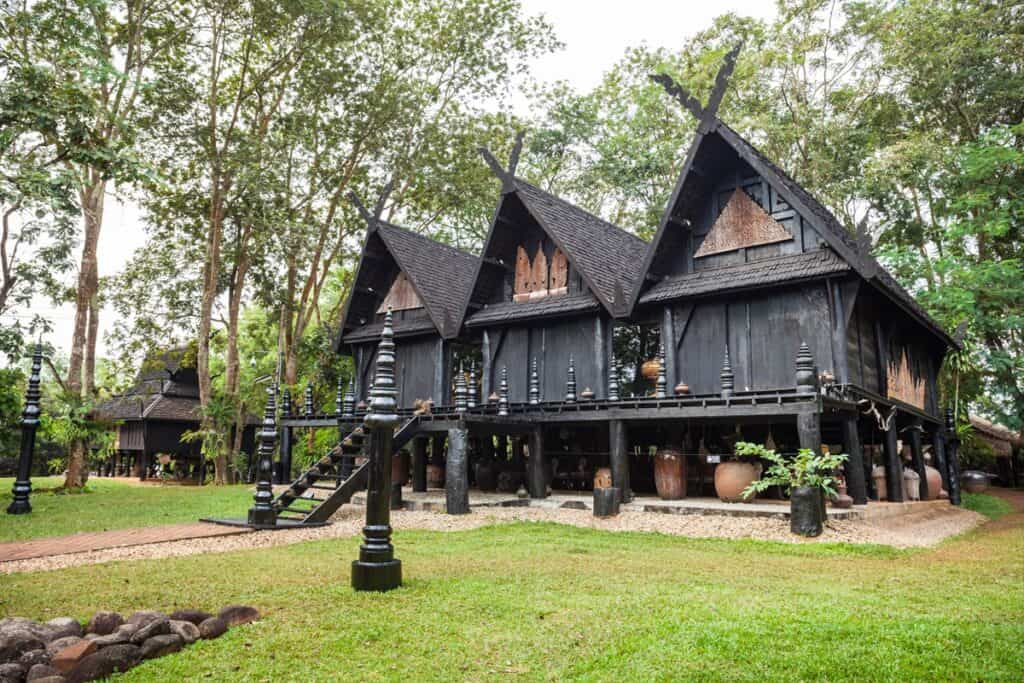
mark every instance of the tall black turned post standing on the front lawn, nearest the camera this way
{"type": "Point", "coordinates": [377, 569]}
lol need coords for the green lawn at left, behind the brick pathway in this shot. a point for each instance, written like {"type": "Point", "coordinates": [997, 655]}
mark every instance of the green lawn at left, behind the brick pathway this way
{"type": "Point", "coordinates": [109, 505]}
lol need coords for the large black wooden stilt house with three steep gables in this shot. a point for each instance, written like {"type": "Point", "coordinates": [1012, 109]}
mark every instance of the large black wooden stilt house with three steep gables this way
{"type": "Point", "coordinates": [763, 318]}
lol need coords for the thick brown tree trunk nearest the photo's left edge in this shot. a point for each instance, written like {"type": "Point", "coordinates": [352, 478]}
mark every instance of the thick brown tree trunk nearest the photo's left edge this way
{"type": "Point", "coordinates": [81, 367]}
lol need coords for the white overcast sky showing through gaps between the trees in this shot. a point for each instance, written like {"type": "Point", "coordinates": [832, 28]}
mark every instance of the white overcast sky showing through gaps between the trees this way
{"type": "Point", "coordinates": [596, 34]}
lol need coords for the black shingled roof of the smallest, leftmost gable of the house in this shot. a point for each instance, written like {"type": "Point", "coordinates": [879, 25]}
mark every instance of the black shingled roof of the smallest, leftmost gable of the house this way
{"type": "Point", "coordinates": [441, 275]}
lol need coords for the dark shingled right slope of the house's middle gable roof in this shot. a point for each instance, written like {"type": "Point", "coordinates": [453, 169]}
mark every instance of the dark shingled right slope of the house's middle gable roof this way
{"type": "Point", "coordinates": [607, 257]}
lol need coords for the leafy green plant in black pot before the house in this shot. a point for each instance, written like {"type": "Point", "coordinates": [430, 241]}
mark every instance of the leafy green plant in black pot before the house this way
{"type": "Point", "coordinates": [807, 477]}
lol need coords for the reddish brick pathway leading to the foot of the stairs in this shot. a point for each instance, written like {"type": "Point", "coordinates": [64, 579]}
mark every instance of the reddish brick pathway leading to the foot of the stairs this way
{"type": "Point", "coordinates": [83, 543]}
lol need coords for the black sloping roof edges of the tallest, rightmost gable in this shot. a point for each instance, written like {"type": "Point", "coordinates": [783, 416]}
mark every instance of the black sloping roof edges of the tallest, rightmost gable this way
{"type": "Point", "coordinates": [836, 235]}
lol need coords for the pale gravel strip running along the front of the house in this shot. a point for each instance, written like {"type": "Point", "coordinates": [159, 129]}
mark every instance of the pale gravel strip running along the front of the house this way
{"type": "Point", "coordinates": [915, 530]}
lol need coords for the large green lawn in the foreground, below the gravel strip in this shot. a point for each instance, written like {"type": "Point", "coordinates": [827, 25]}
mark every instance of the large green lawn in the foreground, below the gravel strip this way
{"type": "Point", "coordinates": [539, 602]}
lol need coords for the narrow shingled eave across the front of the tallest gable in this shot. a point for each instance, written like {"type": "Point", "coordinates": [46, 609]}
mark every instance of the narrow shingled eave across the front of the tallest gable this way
{"type": "Point", "coordinates": [782, 270]}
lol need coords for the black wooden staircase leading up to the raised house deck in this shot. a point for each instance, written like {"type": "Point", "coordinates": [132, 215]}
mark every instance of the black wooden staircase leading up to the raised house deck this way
{"type": "Point", "coordinates": [319, 492]}
